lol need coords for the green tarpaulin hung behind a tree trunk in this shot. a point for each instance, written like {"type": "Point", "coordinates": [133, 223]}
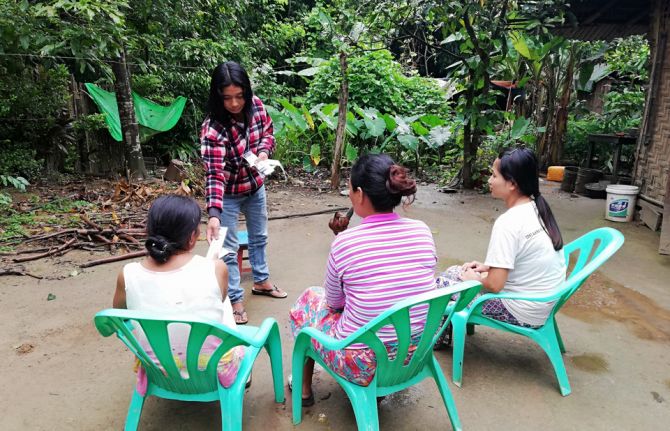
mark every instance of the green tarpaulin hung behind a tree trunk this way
{"type": "Point", "coordinates": [152, 117]}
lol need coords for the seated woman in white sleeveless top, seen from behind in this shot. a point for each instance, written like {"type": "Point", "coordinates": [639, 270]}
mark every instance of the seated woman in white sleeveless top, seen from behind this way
{"type": "Point", "coordinates": [171, 279]}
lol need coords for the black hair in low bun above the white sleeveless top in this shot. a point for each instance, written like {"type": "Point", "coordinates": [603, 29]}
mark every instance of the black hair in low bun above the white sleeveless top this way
{"type": "Point", "coordinates": [171, 221]}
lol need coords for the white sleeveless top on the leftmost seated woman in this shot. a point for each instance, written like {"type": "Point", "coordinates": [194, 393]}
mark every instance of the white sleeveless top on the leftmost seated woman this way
{"type": "Point", "coordinates": [189, 292]}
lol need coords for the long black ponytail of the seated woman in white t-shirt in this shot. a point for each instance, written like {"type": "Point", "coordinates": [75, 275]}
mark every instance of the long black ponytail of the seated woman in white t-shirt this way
{"type": "Point", "coordinates": [520, 166]}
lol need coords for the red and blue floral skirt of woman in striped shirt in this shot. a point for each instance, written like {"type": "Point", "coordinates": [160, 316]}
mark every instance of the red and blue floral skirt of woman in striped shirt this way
{"type": "Point", "coordinates": [356, 365]}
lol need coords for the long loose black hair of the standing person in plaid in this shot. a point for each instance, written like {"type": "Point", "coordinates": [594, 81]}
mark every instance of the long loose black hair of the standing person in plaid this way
{"type": "Point", "coordinates": [223, 75]}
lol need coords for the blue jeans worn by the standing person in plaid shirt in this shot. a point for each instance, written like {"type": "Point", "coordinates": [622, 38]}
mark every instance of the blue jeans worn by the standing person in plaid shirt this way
{"type": "Point", "coordinates": [255, 212]}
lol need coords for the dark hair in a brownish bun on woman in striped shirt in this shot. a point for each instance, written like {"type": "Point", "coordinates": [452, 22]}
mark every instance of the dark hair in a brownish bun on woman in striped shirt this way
{"type": "Point", "coordinates": [384, 182]}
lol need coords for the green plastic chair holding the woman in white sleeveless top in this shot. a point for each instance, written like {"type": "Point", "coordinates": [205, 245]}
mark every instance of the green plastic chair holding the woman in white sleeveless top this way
{"type": "Point", "coordinates": [201, 384]}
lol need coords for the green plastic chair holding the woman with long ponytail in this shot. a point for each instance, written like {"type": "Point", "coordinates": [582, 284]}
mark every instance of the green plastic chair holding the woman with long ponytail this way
{"type": "Point", "coordinates": [588, 252]}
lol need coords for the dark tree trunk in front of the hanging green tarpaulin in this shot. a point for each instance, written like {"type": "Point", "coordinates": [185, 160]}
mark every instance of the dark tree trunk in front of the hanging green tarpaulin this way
{"type": "Point", "coordinates": [129, 127]}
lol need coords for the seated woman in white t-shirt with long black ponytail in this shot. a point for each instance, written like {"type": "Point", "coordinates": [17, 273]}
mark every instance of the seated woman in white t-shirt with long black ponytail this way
{"type": "Point", "coordinates": [525, 253]}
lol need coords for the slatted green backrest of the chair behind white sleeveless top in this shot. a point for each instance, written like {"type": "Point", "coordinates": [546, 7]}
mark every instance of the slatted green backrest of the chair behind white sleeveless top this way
{"type": "Point", "coordinates": [155, 327]}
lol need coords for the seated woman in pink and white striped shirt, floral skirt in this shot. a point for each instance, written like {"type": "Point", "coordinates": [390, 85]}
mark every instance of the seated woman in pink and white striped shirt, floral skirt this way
{"type": "Point", "coordinates": [370, 268]}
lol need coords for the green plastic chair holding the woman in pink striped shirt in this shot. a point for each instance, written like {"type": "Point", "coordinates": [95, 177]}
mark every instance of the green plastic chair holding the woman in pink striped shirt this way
{"type": "Point", "coordinates": [392, 375]}
